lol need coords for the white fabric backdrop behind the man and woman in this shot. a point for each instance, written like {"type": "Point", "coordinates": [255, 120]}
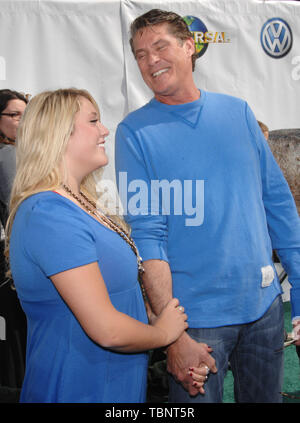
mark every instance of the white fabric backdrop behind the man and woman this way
{"type": "Point", "coordinates": [59, 44]}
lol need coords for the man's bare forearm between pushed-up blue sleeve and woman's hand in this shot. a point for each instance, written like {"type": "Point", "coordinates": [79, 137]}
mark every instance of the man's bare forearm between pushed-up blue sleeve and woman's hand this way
{"type": "Point", "coordinates": [157, 281]}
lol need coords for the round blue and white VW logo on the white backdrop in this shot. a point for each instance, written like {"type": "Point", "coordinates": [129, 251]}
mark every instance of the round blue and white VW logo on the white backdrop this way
{"type": "Point", "coordinates": [276, 38]}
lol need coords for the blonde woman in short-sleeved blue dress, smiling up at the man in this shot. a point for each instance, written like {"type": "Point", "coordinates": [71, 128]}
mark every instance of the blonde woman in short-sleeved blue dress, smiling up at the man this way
{"type": "Point", "coordinates": [74, 269]}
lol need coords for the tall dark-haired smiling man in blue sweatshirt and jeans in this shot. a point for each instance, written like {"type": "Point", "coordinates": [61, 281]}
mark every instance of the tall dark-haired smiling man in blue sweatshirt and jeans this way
{"type": "Point", "coordinates": [212, 205]}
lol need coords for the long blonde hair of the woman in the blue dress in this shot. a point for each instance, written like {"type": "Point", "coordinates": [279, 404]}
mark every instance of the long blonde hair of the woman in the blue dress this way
{"type": "Point", "coordinates": [42, 137]}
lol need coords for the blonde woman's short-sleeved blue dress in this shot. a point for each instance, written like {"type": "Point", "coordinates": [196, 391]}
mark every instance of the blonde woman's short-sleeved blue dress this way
{"type": "Point", "coordinates": [51, 234]}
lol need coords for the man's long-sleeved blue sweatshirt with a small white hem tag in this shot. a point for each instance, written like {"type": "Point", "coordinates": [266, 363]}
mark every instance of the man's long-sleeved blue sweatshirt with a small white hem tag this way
{"type": "Point", "coordinates": [223, 205]}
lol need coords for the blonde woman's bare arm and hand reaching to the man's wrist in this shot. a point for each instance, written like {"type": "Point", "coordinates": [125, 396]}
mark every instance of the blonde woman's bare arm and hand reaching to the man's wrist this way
{"type": "Point", "coordinates": [84, 291]}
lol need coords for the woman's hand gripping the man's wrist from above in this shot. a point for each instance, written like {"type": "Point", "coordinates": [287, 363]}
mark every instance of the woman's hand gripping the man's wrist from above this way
{"type": "Point", "coordinates": [172, 321]}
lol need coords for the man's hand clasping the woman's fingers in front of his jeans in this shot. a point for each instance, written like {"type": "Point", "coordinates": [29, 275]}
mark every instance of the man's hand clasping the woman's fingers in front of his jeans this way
{"type": "Point", "coordinates": [186, 353]}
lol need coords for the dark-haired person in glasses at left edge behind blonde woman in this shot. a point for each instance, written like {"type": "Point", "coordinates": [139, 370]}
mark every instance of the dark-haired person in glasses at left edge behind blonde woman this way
{"type": "Point", "coordinates": [13, 322]}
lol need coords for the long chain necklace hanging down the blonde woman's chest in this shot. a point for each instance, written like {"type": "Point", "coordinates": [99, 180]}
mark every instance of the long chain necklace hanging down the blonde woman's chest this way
{"type": "Point", "coordinates": [112, 225]}
